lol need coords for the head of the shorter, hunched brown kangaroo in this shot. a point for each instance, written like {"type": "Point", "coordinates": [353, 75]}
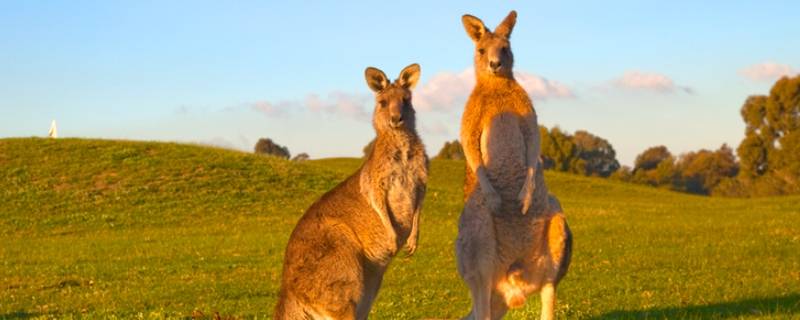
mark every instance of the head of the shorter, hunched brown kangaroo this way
{"type": "Point", "coordinates": [393, 109]}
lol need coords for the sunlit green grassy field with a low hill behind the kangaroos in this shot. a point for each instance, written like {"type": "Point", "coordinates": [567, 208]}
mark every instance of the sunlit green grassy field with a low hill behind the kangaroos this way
{"type": "Point", "coordinates": [106, 229]}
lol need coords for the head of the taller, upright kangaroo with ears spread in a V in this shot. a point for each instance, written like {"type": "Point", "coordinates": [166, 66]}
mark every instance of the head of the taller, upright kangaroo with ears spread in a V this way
{"type": "Point", "coordinates": [493, 55]}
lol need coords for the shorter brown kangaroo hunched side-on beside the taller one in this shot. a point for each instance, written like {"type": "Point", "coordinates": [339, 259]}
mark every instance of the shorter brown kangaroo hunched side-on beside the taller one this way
{"type": "Point", "coordinates": [340, 249]}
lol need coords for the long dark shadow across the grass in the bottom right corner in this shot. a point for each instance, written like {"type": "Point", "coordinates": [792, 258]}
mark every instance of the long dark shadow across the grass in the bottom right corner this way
{"type": "Point", "coordinates": [785, 306]}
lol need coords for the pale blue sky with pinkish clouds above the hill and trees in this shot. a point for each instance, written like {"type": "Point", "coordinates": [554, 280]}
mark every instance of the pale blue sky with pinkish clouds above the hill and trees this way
{"type": "Point", "coordinates": [638, 73]}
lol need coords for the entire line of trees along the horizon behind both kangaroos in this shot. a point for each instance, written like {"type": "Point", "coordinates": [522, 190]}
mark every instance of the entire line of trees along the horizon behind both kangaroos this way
{"type": "Point", "coordinates": [766, 162]}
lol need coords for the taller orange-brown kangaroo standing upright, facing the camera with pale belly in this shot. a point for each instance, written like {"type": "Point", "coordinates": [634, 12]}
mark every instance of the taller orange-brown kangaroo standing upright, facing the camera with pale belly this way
{"type": "Point", "coordinates": [513, 239]}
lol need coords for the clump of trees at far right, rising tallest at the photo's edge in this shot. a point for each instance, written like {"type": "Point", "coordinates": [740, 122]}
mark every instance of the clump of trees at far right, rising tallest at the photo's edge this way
{"type": "Point", "coordinates": [769, 154]}
